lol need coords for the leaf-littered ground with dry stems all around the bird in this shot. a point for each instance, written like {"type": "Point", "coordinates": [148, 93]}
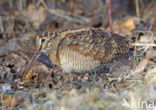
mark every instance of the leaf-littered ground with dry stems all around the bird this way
{"type": "Point", "coordinates": [123, 87]}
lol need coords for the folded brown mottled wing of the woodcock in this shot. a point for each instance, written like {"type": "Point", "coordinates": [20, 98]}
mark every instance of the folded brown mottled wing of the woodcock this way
{"type": "Point", "coordinates": [92, 43]}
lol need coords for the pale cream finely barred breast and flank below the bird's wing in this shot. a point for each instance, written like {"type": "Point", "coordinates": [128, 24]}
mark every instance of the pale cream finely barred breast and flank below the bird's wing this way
{"type": "Point", "coordinates": [71, 61]}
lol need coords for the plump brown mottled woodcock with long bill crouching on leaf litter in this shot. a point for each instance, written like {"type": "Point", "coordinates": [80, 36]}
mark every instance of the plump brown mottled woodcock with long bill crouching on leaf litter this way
{"type": "Point", "coordinates": [82, 49]}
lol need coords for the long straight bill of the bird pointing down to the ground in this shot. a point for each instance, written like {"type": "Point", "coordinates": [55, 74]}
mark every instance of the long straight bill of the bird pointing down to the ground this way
{"type": "Point", "coordinates": [34, 58]}
